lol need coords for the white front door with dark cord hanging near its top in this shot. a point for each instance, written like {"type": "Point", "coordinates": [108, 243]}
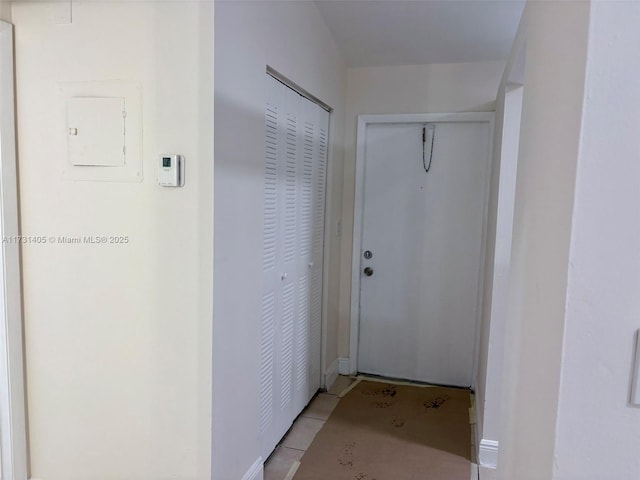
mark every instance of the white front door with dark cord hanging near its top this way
{"type": "Point", "coordinates": [422, 239]}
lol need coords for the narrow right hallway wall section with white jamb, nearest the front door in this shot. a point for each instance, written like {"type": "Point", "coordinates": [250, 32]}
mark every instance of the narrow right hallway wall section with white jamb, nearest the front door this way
{"type": "Point", "coordinates": [498, 254]}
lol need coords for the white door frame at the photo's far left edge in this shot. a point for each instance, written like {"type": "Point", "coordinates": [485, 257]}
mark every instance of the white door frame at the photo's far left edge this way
{"type": "Point", "coordinates": [13, 435]}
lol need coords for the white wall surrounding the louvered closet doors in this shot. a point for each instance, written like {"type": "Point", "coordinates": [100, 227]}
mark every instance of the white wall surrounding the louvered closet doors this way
{"type": "Point", "coordinates": [292, 38]}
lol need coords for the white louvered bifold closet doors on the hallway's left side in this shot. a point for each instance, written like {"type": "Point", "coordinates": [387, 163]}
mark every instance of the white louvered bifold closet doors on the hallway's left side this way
{"type": "Point", "coordinates": [296, 135]}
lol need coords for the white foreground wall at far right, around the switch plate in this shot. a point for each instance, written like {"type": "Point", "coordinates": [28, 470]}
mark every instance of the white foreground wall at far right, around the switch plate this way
{"type": "Point", "coordinates": [597, 432]}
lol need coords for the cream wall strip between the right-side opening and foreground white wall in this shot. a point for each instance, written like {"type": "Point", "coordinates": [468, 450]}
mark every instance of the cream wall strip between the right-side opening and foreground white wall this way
{"type": "Point", "coordinates": [556, 44]}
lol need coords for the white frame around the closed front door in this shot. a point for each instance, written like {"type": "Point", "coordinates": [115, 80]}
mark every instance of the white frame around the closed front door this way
{"type": "Point", "coordinates": [363, 122]}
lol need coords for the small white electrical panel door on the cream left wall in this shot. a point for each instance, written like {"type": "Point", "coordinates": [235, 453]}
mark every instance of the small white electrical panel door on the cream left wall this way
{"type": "Point", "coordinates": [96, 131]}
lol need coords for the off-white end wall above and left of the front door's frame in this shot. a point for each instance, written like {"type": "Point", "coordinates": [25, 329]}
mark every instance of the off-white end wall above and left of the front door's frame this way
{"type": "Point", "coordinates": [437, 88]}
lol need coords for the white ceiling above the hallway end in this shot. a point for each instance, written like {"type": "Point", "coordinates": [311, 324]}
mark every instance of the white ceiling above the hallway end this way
{"type": "Point", "coordinates": [401, 32]}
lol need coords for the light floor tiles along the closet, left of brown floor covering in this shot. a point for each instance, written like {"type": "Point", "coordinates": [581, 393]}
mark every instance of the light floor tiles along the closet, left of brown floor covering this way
{"type": "Point", "coordinates": [305, 428]}
